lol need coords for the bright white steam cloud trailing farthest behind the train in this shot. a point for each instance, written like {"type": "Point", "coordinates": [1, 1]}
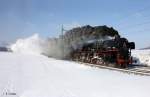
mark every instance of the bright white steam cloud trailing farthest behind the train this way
{"type": "Point", "coordinates": [30, 45]}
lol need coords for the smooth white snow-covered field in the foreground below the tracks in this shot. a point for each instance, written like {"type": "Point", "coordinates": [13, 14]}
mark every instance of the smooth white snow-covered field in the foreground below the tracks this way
{"type": "Point", "coordinates": [39, 76]}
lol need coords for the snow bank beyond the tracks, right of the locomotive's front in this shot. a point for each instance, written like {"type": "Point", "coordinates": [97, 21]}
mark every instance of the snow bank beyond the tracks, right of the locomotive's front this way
{"type": "Point", "coordinates": [142, 56]}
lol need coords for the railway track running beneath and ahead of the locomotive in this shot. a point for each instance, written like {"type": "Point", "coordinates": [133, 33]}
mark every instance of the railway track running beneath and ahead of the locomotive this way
{"type": "Point", "coordinates": [137, 70]}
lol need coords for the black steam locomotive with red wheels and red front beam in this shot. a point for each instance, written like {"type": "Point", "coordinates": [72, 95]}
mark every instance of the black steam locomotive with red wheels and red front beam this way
{"type": "Point", "coordinates": [114, 52]}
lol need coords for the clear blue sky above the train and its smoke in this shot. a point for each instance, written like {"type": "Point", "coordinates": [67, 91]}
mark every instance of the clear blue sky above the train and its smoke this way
{"type": "Point", "coordinates": [23, 18]}
